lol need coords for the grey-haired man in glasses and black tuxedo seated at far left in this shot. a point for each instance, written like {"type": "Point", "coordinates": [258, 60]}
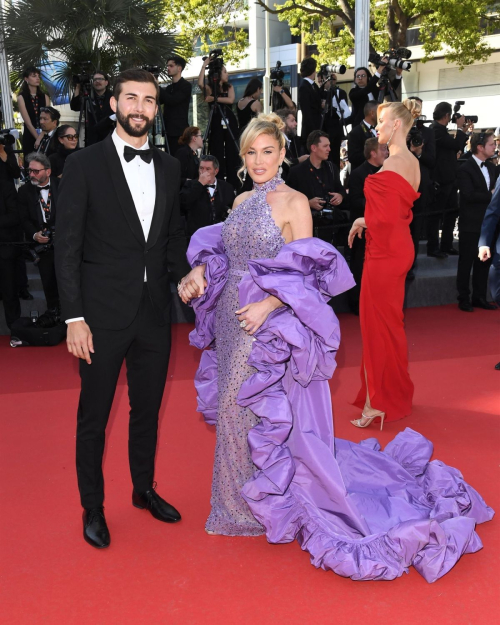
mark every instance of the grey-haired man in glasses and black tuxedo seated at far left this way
{"type": "Point", "coordinates": [37, 204]}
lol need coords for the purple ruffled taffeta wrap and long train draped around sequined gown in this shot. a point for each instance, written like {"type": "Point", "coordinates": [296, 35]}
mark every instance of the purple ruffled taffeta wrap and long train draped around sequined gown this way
{"type": "Point", "coordinates": [359, 511]}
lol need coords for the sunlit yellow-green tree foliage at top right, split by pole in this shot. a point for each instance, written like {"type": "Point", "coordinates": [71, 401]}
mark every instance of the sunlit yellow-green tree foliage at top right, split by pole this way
{"type": "Point", "coordinates": [457, 26]}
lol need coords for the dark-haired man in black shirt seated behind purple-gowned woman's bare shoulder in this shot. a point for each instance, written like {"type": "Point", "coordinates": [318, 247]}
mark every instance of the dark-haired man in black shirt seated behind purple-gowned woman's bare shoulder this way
{"type": "Point", "coordinates": [319, 180]}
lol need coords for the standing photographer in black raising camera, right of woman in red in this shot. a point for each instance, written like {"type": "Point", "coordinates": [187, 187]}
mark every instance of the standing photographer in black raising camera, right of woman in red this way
{"type": "Point", "coordinates": [444, 211]}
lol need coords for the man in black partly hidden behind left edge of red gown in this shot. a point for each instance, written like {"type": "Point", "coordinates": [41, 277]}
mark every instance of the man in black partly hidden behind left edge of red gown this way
{"type": "Point", "coordinates": [375, 155]}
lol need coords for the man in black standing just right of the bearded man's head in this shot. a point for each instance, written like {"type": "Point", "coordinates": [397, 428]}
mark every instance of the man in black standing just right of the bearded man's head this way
{"type": "Point", "coordinates": [175, 98]}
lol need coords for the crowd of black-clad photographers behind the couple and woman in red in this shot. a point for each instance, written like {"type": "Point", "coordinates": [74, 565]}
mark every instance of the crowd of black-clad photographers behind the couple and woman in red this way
{"type": "Point", "coordinates": [329, 162]}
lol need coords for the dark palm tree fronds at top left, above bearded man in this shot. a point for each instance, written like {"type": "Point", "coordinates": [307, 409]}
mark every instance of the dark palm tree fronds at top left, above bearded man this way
{"type": "Point", "coordinates": [110, 34]}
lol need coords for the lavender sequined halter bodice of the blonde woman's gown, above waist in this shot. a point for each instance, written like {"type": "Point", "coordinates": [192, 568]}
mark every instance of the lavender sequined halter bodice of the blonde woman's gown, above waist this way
{"type": "Point", "coordinates": [250, 230]}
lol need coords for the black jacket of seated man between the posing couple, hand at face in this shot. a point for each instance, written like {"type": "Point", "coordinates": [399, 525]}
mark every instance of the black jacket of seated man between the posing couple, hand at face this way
{"type": "Point", "coordinates": [200, 211]}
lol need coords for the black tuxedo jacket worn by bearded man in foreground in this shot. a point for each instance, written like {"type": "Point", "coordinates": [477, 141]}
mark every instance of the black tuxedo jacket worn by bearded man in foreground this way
{"type": "Point", "coordinates": [100, 249]}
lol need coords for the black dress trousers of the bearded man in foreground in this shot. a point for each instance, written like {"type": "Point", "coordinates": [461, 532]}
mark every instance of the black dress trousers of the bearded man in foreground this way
{"type": "Point", "coordinates": [145, 347]}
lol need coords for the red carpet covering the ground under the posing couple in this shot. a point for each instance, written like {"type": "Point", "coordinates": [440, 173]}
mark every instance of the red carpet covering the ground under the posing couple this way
{"type": "Point", "coordinates": [155, 573]}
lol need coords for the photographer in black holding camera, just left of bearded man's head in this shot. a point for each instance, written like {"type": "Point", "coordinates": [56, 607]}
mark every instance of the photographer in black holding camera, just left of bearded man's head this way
{"type": "Point", "coordinates": [97, 125]}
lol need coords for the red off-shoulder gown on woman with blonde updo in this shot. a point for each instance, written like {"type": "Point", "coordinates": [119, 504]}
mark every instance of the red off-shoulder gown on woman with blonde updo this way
{"type": "Point", "coordinates": [389, 256]}
